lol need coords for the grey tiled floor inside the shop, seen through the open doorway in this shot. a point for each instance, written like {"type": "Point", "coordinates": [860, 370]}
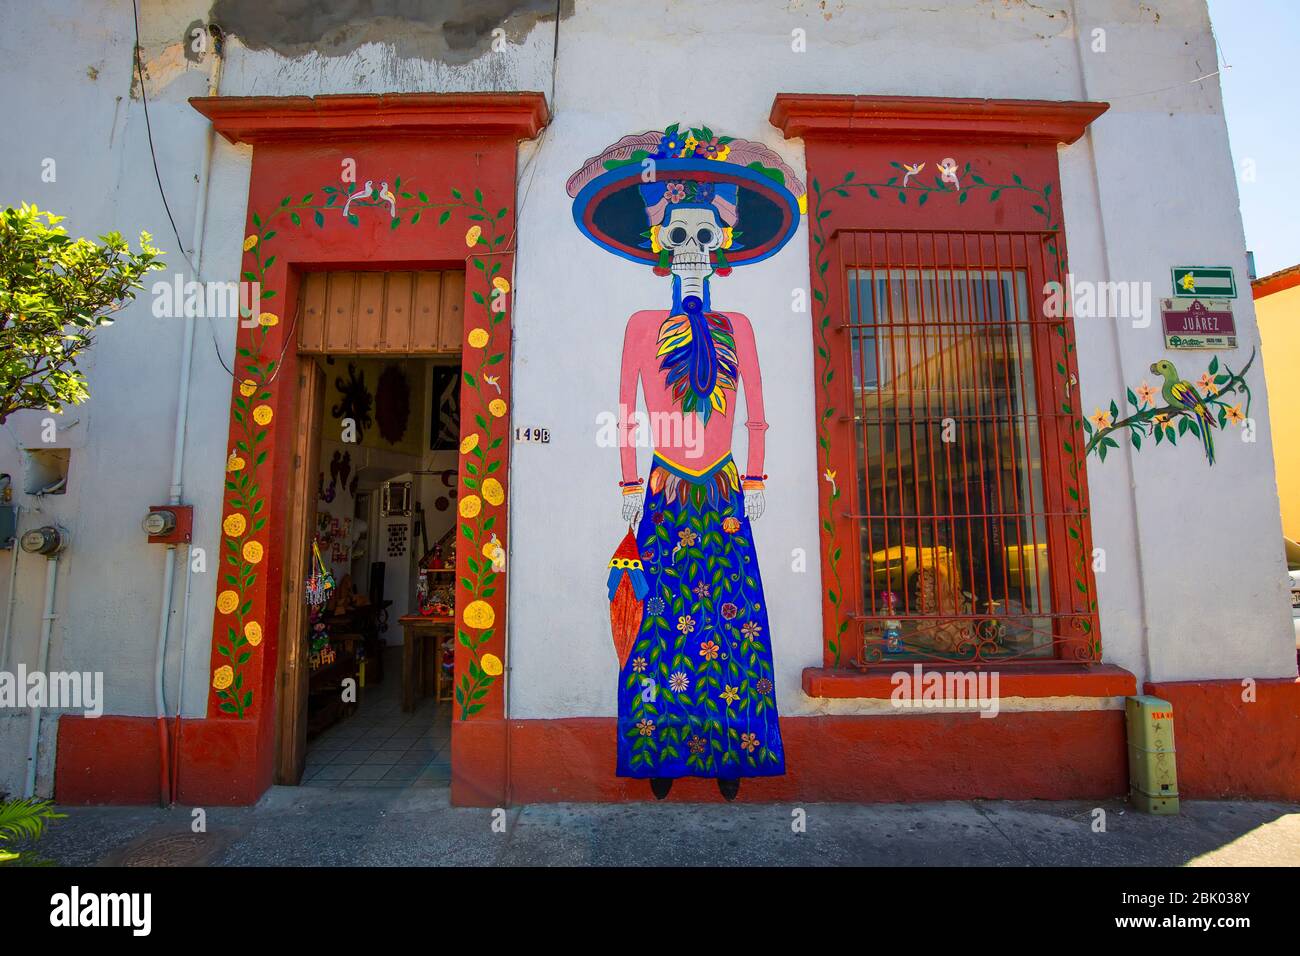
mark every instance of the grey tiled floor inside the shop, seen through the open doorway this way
{"type": "Point", "coordinates": [379, 746]}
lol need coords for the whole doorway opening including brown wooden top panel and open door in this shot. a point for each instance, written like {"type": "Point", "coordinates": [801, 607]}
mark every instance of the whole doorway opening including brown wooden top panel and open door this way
{"type": "Point", "coordinates": [369, 684]}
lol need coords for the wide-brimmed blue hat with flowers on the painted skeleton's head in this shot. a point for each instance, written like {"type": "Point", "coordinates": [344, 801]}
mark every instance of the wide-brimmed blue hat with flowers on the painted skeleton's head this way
{"type": "Point", "coordinates": [756, 196]}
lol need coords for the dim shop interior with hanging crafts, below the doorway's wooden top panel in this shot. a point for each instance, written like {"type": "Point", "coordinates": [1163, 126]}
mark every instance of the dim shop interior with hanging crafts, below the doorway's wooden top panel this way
{"type": "Point", "coordinates": [382, 583]}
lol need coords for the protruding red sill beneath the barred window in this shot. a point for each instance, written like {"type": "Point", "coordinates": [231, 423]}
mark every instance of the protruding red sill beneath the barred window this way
{"type": "Point", "coordinates": [1047, 680]}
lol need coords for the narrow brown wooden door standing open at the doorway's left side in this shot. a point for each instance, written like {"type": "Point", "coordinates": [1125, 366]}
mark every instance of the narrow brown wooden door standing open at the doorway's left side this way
{"type": "Point", "coordinates": [292, 671]}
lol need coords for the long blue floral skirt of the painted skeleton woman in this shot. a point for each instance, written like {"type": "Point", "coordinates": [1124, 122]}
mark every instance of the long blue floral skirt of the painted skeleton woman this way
{"type": "Point", "coordinates": [697, 697]}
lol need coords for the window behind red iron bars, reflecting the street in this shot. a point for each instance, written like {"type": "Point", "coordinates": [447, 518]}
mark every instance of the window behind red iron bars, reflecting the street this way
{"type": "Point", "coordinates": [959, 509]}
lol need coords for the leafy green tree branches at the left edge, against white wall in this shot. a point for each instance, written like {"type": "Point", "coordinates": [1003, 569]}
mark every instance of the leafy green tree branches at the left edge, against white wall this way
{"type": "Point", "coordinates": [55, 292]}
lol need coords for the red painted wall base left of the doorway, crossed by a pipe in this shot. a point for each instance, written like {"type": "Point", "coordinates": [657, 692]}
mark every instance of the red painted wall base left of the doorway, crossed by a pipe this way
{"type": "Point", "coordinates": [115, 760]}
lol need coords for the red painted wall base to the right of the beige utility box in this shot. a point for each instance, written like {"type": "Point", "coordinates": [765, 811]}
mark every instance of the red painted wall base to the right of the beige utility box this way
{"type": "Point", "coordinates": [1230, 749]}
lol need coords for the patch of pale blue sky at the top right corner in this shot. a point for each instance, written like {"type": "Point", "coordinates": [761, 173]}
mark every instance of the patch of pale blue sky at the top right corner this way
{"type": "Point", "coordinates": [1260, 47]}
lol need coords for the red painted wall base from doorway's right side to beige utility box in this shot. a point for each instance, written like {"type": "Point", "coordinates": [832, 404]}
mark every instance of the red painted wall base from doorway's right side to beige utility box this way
{"type": "Point", "coordinates": [1048, 756]}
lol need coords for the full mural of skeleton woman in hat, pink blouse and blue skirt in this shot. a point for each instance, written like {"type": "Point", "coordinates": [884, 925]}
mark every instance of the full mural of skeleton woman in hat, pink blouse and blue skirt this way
{"type": "Point", "coordinates": [696, 685]}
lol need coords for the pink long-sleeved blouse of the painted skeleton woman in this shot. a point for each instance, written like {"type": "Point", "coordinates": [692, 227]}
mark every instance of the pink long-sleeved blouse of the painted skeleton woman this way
{"type": "Point", "coordinates": [674, 438]}
